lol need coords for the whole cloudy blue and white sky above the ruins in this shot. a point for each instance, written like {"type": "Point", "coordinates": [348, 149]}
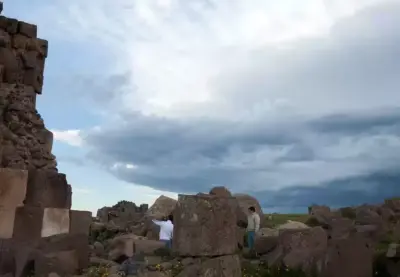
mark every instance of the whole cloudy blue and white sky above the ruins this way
{"type": "Point", "coordinates": [293, 102]}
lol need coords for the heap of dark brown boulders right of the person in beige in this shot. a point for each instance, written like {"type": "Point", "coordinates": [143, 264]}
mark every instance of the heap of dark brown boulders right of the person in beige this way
{"type": "Point", "coordinates": [341, 243]}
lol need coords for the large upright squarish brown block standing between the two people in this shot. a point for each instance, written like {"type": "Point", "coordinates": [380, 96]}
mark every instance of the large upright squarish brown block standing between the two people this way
{"type": "Point", "coordinates": [204, 226]}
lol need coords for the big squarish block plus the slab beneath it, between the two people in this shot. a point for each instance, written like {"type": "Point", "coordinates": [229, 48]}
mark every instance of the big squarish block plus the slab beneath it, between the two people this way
{"type": "Point", "coordinates": [205, 227]}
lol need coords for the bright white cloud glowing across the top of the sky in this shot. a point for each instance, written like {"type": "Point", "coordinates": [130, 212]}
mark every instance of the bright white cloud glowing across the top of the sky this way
{"type": "Point", "coordinates": [176, 50]}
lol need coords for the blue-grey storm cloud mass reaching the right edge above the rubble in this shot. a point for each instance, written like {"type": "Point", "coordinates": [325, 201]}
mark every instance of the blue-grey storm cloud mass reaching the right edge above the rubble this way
{"type": "Point", "coordinates": [343, 148]}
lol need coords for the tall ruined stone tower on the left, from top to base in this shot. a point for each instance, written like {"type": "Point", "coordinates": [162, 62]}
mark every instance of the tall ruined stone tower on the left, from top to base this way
{"type": "Point", "coordinates": [39, 233]}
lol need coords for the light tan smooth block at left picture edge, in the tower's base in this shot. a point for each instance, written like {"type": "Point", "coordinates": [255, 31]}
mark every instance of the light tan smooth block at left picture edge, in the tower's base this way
{"type": "Point", "coordinates": [13, 187]}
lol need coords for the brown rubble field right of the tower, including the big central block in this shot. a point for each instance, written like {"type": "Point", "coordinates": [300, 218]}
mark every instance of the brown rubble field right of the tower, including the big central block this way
{"type": "Point", "coordinates": [351, 241]}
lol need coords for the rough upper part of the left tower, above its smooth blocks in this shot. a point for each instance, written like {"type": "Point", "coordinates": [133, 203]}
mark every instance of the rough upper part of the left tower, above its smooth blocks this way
{"type": "Point", "coordinates": [25, 141]}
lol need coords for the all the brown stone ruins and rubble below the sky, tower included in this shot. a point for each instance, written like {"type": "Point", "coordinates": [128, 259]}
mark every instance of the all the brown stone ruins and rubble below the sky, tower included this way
{"type": "Point", "coordinates": [41, 236]}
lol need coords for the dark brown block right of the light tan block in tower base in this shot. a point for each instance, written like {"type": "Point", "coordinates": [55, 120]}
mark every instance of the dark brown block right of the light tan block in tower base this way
{"type": "Point", "coordinates": [47, 189]}
